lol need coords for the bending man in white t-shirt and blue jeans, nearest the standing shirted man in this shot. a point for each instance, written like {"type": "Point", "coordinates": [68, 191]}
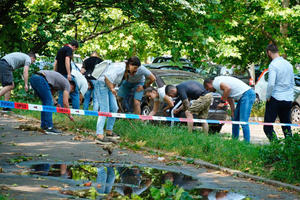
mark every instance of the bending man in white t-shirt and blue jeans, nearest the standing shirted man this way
{"type": "Point", "coordinates": [234, 89]}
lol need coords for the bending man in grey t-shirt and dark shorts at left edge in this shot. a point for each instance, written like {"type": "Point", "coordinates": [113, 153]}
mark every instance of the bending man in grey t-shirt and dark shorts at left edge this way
{"type": "Point", "coordinates": [8, 64]}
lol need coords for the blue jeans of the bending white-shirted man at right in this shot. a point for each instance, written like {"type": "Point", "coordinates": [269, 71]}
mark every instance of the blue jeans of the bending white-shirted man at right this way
{"type": "Point", "coordinates": [242, 113]}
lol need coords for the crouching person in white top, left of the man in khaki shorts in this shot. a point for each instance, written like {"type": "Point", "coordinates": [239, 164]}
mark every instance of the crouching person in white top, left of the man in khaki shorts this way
{"type": "Point", "coordinates": [158, 96]}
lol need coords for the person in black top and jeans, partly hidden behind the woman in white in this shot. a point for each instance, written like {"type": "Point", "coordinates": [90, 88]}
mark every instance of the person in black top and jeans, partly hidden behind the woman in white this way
{"type": "Point", "coordinates": [87, 69]}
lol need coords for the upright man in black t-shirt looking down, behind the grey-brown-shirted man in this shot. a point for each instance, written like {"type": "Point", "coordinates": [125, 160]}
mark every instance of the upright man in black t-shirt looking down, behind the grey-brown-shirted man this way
{"type": "Point", "coordinates": [62, 65]}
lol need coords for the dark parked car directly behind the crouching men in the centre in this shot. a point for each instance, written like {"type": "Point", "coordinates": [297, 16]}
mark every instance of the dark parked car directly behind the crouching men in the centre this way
{"type": "Point", "coordinates": [175, 77]}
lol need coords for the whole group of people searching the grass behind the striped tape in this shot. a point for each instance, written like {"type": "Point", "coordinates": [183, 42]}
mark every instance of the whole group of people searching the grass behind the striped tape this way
{"type": "Point", "coordinates": [131, 76]}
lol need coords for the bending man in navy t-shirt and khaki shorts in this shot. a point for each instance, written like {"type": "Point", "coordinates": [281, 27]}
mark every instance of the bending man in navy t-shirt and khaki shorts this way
{"type": "Point", "coordinates": [187, 91]}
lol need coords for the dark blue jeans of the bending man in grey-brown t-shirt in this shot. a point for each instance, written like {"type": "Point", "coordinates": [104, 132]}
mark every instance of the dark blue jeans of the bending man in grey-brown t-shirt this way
{"type": "Point", "coordinates": [43, 90]}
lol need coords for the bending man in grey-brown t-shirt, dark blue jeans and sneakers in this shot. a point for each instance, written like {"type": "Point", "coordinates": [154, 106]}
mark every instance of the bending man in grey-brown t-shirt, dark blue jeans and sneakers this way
{"type": "Point", "coordinates": [45, 83]}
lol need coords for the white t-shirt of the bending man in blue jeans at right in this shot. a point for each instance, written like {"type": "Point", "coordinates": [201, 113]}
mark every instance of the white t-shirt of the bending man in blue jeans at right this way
{"type": "Point", "coordinates": [237, 86]}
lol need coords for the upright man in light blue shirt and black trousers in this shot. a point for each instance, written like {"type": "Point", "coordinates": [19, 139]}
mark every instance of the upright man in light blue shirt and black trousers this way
{"type": "Point", "coordinates": [280, 92]}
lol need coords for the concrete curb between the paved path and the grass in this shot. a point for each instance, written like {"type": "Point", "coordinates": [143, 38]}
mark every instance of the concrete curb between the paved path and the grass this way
{"type": "Point", "coordinates": [234, 172]}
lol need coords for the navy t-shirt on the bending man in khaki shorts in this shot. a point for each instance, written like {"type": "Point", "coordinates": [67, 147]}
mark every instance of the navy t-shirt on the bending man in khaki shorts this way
{"type": "Point", "coordinates": [190, 90]}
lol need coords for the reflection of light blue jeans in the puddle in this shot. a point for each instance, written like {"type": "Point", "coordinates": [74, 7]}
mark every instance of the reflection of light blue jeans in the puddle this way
{"type": "Point", "coordinates": [106, 177]}
